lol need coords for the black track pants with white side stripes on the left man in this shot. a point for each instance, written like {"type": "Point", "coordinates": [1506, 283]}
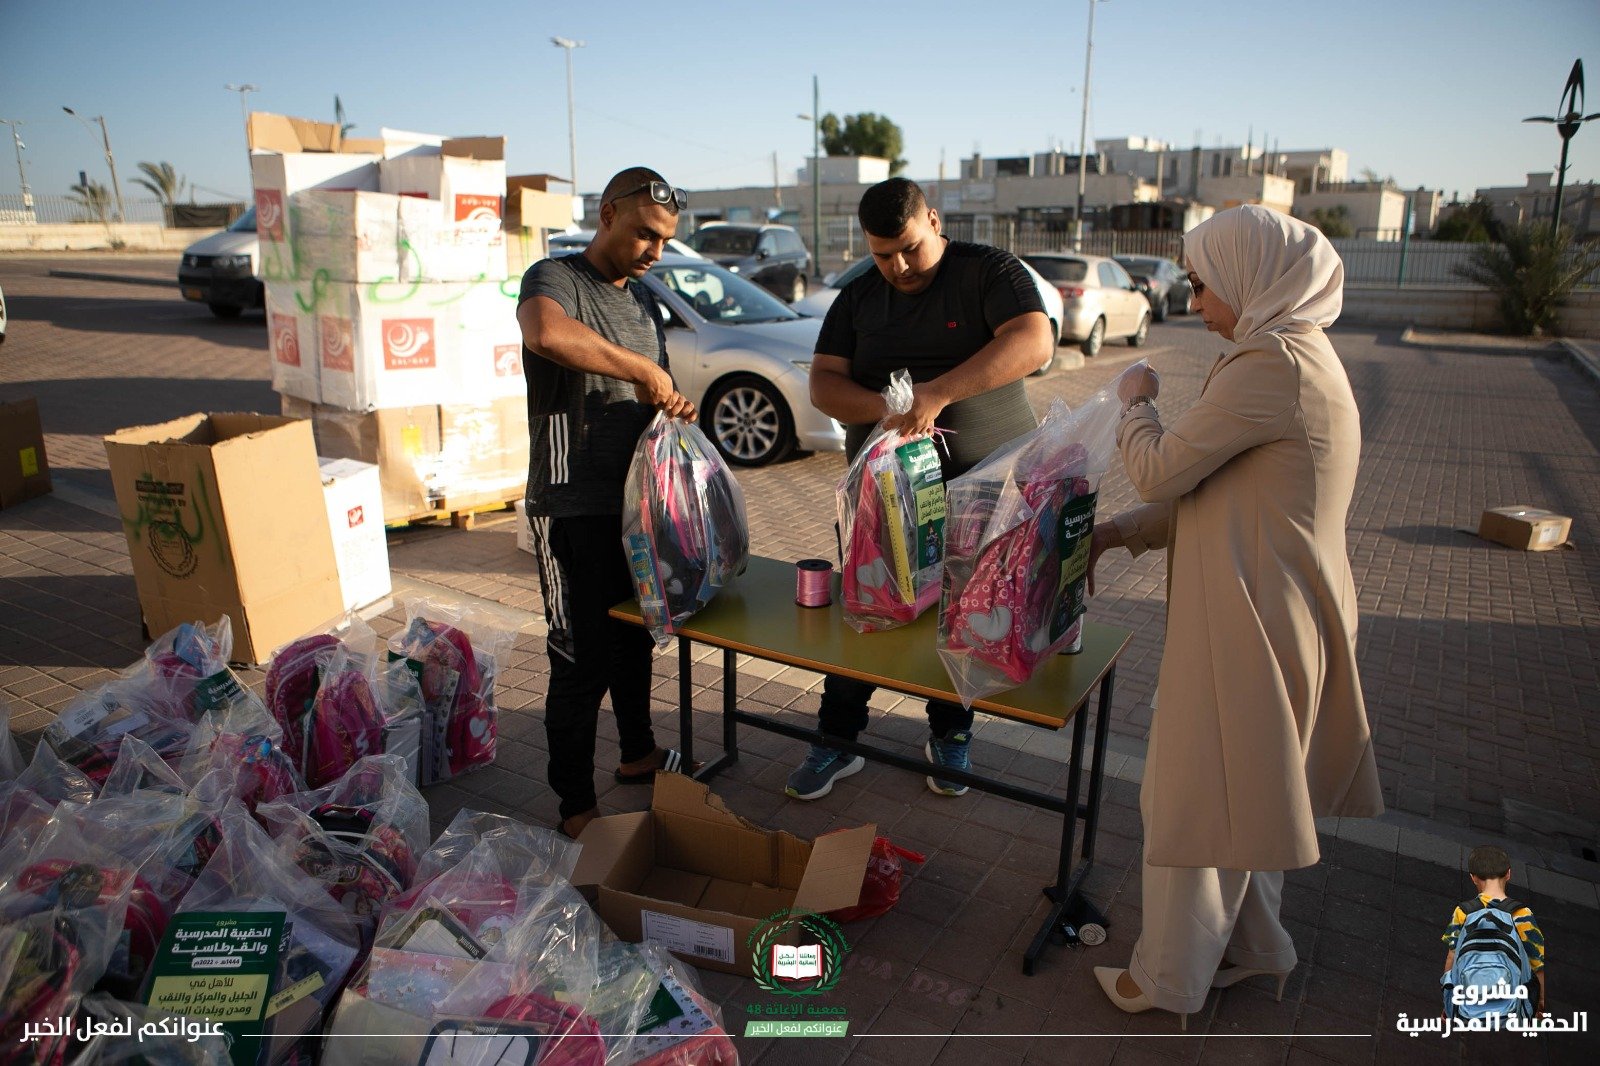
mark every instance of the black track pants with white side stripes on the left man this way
{"type": "Point", "coordinates": [583, 574]}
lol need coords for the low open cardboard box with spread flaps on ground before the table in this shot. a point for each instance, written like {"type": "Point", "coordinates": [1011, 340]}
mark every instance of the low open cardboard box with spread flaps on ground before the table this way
{"type": "Point", "coordinates": [700, 880]}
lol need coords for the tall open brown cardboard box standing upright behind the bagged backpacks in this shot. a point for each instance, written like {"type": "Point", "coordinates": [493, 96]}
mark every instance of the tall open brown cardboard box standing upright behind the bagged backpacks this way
{"type": "Point", "coordinates": [225, 516]}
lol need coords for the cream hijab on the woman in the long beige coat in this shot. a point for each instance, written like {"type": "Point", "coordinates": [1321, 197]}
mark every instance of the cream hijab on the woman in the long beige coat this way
{"type": "Point", "coordinates": [1278, 273]}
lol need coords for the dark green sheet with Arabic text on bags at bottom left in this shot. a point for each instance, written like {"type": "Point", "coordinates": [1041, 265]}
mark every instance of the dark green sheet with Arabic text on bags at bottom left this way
{"type": "Point", "coordinates": [220, 966]}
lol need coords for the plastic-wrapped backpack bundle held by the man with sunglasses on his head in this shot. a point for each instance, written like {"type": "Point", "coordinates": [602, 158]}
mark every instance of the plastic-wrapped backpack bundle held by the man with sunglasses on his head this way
{"type": "Point", "coordinates": [684, 526]}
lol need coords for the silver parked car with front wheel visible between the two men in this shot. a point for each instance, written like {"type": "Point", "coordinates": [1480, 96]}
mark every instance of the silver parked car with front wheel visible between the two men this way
{"type": "Point", "coordinates": [745, 359]}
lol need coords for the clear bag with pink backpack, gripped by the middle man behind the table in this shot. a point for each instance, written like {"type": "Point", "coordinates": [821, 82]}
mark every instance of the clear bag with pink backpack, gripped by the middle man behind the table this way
{"type": "Point", "coordinates": [892, 515]}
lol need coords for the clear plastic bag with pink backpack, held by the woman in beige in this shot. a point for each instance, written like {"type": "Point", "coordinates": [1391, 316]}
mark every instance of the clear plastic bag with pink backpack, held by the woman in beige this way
{"type": "Point", "coordinates": [1017, 548]}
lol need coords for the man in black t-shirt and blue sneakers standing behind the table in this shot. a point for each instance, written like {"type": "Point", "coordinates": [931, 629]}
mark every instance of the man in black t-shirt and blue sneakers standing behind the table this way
{"type": "Point", "coordinates": [969, 326]}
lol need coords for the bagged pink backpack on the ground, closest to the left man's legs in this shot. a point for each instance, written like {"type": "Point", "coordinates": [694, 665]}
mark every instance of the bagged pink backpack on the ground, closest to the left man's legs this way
{"type": "Point", "coordinates": [455, 655]}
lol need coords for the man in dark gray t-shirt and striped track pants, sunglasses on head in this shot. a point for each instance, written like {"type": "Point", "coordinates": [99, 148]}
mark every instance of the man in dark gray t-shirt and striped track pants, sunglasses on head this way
{"type": "Point", "coordinates": [598, 374]}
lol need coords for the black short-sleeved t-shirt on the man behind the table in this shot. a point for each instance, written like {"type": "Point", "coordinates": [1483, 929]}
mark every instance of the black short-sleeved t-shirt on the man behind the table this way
{"type": "Point", "coordinates": [881, 331]}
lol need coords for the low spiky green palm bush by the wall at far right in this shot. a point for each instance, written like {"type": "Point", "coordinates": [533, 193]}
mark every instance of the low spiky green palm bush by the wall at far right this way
{"type": "Point", "coordinates": [1534, 271]}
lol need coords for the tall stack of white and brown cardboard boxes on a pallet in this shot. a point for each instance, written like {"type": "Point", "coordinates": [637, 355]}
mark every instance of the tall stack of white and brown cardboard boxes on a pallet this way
{"type": "Point", "coordinates": [390, 315]}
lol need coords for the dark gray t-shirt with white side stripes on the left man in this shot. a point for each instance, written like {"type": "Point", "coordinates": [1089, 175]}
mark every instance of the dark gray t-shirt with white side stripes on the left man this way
{"type": "Point", "coordinates": [583, 428]}
